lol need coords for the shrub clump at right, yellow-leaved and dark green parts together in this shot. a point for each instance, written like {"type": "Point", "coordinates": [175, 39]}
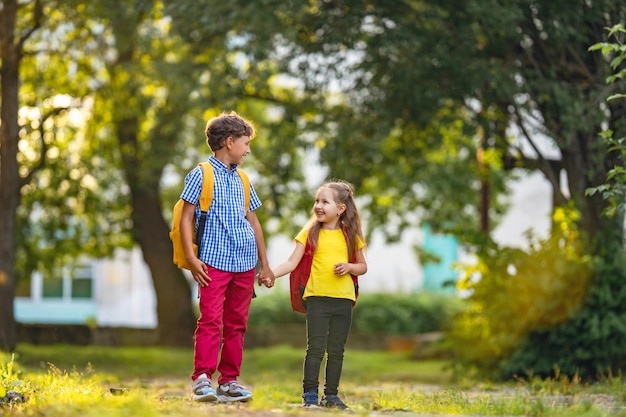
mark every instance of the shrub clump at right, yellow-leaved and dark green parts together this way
{"type": "Point", "coordinates": [551, 310]}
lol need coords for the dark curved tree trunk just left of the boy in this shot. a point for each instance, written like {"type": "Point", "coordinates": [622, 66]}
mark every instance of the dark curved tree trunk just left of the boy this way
{"type": "Point", "coordinates": [143, 172]}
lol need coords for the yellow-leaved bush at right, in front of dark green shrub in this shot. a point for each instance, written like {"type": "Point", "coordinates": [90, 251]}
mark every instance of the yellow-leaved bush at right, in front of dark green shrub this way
{"type": "Point", "coordinates": [515, 292]}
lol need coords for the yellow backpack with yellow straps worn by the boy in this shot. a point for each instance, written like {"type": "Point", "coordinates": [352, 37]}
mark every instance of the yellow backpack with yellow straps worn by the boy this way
{"type": "Point", "coordinates": [206, 198]}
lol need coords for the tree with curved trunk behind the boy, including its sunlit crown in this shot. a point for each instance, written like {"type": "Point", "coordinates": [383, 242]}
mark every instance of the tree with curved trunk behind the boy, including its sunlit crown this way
{"type": "Point", "coordinates": [159, 88]}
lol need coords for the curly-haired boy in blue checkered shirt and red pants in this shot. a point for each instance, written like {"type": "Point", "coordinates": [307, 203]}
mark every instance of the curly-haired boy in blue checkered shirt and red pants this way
{"type": "Point", "coordinates": [225, 267]}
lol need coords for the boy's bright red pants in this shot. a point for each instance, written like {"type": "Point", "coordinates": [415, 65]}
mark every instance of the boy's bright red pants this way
{"type": "Point", "coordinates": [224, 306]}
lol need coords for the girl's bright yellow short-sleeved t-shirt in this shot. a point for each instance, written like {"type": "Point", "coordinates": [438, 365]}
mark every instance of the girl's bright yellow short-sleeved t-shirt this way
{"type": "Point", "coordinates": [331, 249]}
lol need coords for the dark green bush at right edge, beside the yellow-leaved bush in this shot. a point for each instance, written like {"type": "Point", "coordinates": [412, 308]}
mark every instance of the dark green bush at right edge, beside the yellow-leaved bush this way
{"type": "Point", "coordinates": [592, 345]}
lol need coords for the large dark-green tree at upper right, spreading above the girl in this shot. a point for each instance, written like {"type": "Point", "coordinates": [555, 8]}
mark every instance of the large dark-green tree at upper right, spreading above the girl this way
{"type": "Point", "coordinates": [410, 65]}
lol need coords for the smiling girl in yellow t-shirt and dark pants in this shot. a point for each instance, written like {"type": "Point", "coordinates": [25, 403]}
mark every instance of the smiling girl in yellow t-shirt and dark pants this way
{"type": "Point", "coordinates": [336, 236]}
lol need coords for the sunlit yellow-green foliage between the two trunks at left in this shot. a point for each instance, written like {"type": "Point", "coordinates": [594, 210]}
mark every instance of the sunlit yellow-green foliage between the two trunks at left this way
{"type": "Point", "coordinates": [72, 203]}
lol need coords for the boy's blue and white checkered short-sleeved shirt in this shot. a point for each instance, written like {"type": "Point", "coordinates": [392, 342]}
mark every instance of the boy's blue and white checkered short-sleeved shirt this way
{"type": "Point", "coordinates": [228, 242]}
